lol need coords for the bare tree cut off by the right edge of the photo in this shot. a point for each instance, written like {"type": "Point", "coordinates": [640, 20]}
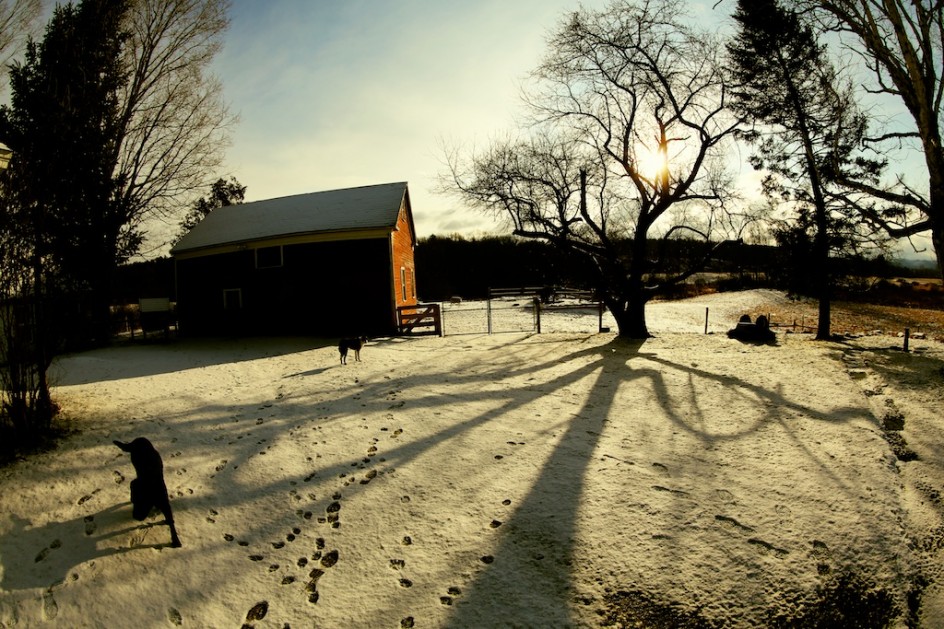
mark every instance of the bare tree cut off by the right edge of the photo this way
{"type": "Point", "coordinates": [902, 44]}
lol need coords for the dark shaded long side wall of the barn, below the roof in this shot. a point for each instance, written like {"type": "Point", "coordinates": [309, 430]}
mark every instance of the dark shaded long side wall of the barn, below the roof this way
{"type": "Point", "coordinates": [322, 289]}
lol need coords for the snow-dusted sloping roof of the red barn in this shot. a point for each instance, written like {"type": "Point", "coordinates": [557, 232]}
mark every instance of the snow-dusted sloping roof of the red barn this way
{"type": "Point", "coordinates": [351, 209]}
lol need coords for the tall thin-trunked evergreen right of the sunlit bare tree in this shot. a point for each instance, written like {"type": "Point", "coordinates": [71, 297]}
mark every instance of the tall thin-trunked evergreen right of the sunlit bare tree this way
{"type": "Point", "coordinates": [805, 121]}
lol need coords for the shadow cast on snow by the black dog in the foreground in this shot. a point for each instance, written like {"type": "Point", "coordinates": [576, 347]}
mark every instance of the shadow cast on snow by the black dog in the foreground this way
{"type": "Point", "coordinates": [44, 556]}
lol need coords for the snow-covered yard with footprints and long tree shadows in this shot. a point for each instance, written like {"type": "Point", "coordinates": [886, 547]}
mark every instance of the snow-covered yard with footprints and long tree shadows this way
{"type": "Point", "coordinates": [480, 480]}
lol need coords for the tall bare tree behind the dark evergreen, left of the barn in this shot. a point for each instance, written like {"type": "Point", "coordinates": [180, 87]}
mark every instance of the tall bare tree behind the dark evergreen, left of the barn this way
{"type": "Point", "coordinates": [175, 122]}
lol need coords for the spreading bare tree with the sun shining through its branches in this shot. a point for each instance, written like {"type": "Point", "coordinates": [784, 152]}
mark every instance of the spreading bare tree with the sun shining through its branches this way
{"type": "Point", "coordinates": [629, 123]}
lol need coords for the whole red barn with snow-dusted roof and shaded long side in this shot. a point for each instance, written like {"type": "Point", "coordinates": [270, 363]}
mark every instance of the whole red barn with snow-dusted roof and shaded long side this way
{"type": "Point", "coordinates": [338, 262]}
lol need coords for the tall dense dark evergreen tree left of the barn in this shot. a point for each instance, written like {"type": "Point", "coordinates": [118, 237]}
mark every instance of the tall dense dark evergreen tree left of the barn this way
{"type": "Point", "coordinates": [61, 124]}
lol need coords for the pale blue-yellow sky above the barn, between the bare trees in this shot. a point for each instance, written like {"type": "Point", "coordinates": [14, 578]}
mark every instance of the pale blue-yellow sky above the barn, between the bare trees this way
{"type": "Point", "coordinates": [339, 94]}
